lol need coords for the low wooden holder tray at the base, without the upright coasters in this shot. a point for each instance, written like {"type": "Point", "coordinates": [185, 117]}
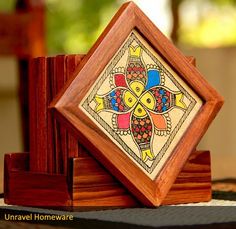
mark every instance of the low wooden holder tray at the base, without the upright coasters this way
{"type": "Point", "coordinates": [90, 185]}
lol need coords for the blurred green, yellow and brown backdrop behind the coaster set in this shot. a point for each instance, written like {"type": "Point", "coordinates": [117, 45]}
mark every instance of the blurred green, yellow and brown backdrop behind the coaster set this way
{"type": "Point", "coordinates": [205, 29]}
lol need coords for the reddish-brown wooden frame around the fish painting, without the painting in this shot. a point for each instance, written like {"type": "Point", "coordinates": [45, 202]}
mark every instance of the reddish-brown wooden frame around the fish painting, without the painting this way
{"type": "Point", "coordinates": [149, 192]}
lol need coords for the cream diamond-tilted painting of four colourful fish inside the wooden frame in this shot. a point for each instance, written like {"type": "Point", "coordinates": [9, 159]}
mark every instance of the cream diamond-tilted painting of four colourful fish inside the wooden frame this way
{"type": "Point", "coordinates": [141, 104]}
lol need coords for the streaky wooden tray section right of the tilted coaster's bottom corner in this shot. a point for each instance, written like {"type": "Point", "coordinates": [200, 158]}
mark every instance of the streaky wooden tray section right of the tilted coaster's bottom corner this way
{"type": "Point", "coordinates": [193, 184]}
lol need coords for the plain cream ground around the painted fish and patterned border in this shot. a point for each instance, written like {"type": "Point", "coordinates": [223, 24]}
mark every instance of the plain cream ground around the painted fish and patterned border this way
{"type": "Point", "coordinates": [175, 114]}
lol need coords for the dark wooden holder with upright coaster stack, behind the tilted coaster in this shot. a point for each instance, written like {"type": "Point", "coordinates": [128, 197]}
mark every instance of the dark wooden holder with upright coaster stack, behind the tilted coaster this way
{"type": "Point", "coordinates": [59, 172]}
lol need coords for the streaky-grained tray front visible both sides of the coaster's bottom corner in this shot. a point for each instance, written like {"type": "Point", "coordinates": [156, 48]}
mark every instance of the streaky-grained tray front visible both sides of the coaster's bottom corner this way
{"type": "Point", "coordinates": [93, 185]}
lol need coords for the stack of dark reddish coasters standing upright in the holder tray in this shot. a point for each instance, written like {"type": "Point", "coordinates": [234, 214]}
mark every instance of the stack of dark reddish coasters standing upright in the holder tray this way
{"type": "Point", "coordinates": [50, 143]}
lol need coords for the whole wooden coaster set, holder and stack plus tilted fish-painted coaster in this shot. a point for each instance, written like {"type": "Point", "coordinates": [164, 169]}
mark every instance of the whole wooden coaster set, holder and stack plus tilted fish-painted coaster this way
{"type": "Point", "coordinates": [117, 127]}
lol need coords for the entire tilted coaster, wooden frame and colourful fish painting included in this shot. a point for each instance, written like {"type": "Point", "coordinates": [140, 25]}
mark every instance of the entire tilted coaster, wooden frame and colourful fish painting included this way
{"type": "Point", "coordinates": [138, 105]}
